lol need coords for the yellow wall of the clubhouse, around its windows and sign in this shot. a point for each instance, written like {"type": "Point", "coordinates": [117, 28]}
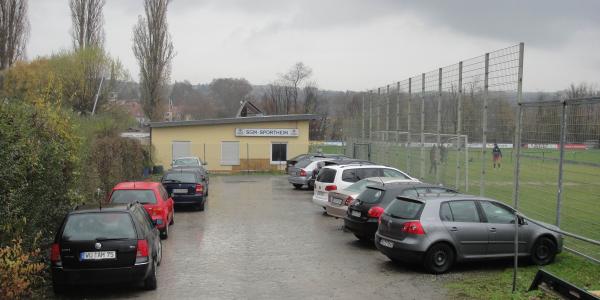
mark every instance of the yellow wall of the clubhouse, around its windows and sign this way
{"type": "Point", "coordinates": [255, 152]}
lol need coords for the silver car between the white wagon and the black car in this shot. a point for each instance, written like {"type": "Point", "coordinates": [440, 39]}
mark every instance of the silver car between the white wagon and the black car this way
{"type": "Point", "coordinates": [339, 200]}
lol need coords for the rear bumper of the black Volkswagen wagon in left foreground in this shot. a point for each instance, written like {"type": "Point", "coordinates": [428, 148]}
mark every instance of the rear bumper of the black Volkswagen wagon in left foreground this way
{"type": "Point", "coordinates": [134, 273]}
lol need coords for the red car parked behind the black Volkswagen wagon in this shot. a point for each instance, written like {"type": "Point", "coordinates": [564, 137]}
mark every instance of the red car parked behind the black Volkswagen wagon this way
{"type": "Point", "coordinates": [153, 196]}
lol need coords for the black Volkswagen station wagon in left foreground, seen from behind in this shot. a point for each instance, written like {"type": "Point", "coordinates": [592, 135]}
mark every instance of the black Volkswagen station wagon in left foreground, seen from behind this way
{"type": "Point", "coordinates": [115, 243]}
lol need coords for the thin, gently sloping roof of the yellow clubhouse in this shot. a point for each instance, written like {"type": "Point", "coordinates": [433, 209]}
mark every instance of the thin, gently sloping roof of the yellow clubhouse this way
{"type": "Point", "coordinates": [255, 119]}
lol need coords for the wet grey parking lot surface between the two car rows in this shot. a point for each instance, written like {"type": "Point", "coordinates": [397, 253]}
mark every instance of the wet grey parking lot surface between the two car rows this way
{"type": "Point", "coordinates": [260, 239]}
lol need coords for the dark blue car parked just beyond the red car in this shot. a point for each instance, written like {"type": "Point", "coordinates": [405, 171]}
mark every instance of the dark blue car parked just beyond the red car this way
{"type": "Point", "coordinates": [187, 186]}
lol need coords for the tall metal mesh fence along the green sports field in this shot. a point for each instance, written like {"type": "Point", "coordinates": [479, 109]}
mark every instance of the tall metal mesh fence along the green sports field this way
{"type": "Point", "coordinates": [441, 126]}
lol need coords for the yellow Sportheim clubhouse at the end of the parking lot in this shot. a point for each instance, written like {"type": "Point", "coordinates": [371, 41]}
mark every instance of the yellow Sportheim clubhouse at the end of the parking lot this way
{"type": "Point", "coordinates": [250, 143]}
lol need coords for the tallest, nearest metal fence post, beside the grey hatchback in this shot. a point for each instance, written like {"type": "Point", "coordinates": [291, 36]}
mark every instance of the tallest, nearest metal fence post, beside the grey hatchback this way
{"type": "Point", "coordinates": [517, 170]}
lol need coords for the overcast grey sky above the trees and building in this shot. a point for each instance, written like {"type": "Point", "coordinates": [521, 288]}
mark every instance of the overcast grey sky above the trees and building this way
{"type": "Point", "coordinates": [349, 44]}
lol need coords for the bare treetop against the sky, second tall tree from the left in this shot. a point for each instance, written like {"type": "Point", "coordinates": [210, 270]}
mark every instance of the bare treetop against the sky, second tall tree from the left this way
{"type": "Point", "coordinates": [87, 19]}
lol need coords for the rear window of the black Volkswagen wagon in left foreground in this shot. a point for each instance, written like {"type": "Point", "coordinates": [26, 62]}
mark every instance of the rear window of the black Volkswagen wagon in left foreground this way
{"type": "Point", "coordinates": [93, 226]}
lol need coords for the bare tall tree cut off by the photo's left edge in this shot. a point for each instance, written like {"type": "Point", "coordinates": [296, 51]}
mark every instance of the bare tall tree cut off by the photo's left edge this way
{"type": "Point", "coordinates": [14, 31]}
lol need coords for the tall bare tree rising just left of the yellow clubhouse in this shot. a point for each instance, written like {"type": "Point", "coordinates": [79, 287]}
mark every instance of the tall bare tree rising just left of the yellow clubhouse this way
{"type": "Point", "coordinates": [153, 49]}
